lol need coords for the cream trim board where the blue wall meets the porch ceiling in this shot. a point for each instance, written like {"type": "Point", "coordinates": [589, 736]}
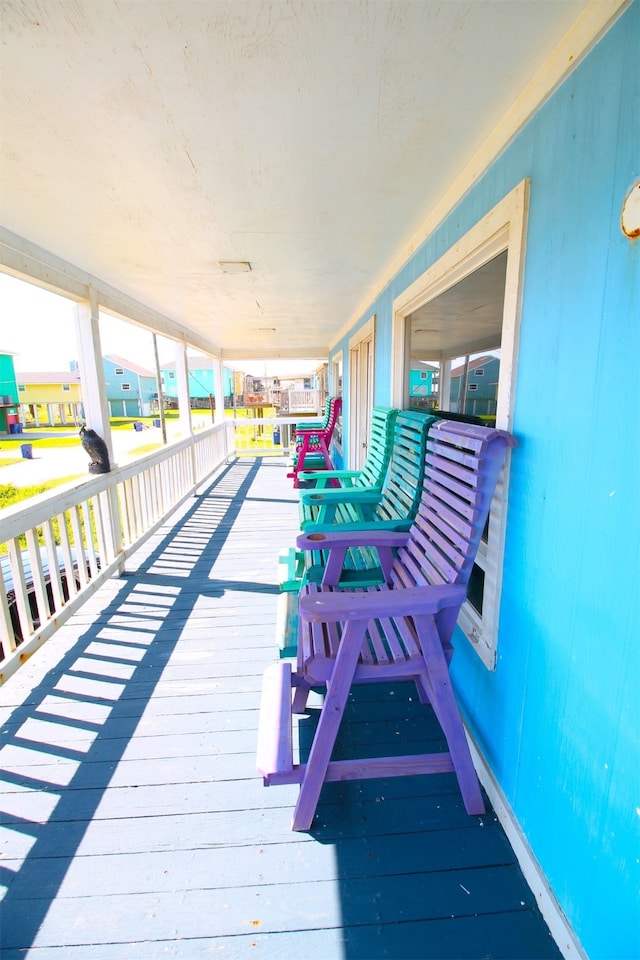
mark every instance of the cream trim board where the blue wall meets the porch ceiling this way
{"type": "Point", "coordinates": [588, 29]}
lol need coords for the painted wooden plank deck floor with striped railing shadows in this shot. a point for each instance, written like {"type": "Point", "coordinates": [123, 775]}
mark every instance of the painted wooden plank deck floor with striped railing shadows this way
{"type": "Point", "coordinates": [135, 826]}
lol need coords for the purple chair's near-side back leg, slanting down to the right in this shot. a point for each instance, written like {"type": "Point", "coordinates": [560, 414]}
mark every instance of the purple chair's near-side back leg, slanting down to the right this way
{"type": "Point", "coordinates": [438, 687]}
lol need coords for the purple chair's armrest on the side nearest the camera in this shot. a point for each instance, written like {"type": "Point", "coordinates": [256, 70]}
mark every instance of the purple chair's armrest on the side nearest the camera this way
{"type": "Point", "coordinates": [366, 605]}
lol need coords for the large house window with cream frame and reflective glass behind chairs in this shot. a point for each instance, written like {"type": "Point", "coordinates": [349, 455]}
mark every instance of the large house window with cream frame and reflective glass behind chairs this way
{"type": "Point", "coordinates": [466, 304]}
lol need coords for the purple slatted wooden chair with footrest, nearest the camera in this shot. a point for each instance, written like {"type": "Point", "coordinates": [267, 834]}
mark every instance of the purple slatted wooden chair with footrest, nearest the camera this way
{"type": "Point", "coordinates": [399, 630]}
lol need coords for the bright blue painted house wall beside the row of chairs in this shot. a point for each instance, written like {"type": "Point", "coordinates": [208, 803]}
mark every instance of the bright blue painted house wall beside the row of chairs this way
{"type": "Point", "coordinates": [558, 720]}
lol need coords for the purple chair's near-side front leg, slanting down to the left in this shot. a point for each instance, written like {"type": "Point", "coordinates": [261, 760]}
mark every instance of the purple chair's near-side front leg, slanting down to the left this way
{"type": "Point", "coordinates": [338, 688]}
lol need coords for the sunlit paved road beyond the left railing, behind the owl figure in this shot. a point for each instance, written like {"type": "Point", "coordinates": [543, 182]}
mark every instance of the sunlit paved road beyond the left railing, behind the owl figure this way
{"type": "Point", "coordinates": [71, 461]}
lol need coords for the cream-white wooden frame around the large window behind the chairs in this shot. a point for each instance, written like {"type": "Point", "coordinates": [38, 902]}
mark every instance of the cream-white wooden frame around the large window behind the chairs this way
{"type": "Point", "coordinates": [503, 228]}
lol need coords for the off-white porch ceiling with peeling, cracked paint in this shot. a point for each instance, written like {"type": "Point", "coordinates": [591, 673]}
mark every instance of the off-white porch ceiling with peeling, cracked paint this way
{"type": "Point", "coordinates": [146, 141]}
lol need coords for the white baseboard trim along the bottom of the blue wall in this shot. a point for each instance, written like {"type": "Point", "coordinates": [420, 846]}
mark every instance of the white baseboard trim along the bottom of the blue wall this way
{"type": "Point", "coordinates": [554, 917]}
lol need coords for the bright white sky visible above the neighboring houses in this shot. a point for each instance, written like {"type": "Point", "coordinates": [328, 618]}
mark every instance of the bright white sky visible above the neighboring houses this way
{"type": "Point", "coordinates": [38, 327]}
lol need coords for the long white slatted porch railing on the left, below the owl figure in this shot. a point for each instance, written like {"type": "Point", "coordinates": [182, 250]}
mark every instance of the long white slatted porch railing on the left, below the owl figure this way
{"type": "Point", "coordinates": [61, 546]}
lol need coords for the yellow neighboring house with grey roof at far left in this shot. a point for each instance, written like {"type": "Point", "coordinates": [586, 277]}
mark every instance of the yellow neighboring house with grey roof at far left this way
{"type": "Point", "coordinates": [50, 398]}
